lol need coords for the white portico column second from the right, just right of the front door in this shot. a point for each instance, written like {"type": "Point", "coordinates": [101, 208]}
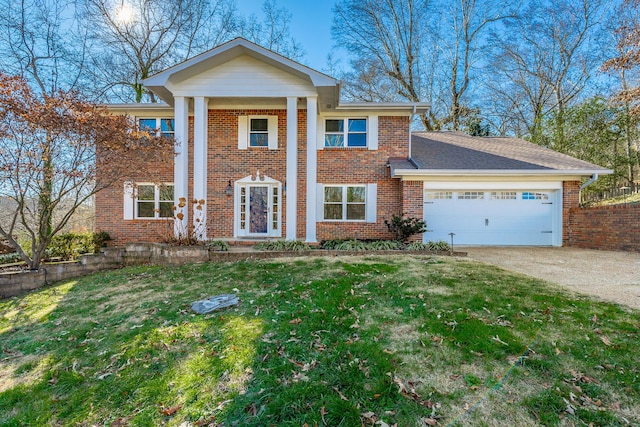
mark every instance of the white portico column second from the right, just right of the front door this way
{"type": "Point", "coordinates": [292, 167]}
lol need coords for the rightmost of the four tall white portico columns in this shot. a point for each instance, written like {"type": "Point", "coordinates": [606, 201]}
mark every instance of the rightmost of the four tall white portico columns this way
{"type": "Point", "coordinates": [312, 154]}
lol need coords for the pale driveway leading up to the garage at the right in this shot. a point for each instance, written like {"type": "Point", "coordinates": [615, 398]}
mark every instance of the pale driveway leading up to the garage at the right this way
{"type": "Point", "coordinates": [611, 276]}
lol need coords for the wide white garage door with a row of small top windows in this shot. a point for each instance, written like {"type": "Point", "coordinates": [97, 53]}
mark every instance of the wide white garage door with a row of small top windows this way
{"type": "Point", "coordinates": [503, 217]}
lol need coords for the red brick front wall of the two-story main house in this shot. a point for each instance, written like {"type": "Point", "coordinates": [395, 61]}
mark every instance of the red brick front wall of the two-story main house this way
{"type": "Point", "coordinates": [225, 162]}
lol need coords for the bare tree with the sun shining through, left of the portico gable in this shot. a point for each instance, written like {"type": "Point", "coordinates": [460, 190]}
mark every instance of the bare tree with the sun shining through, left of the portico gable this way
{"type": "Point", "coordinates": [143, 37]}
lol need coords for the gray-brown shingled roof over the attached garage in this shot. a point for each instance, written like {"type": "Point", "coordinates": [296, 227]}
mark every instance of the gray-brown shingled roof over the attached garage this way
{"type": "Point", "coordinates": [455, 150]}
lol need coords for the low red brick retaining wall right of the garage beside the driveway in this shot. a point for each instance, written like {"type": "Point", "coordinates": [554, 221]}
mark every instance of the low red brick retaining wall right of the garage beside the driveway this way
{"type": "Point", "coordinates": [615, 228]}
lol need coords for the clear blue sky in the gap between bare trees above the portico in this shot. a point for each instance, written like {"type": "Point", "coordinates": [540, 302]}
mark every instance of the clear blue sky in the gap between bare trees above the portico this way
{"type": "Point", "coordinates": [310, 26]}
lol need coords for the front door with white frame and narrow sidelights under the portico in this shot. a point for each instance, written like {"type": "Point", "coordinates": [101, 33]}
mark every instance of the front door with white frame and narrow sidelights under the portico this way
{"type": "Point", "coordinates": [258, 209]}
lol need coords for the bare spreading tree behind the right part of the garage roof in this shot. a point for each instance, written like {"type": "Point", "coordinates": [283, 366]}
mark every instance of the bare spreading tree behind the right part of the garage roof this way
{"type": "Point", "coordinates": [552, 51]}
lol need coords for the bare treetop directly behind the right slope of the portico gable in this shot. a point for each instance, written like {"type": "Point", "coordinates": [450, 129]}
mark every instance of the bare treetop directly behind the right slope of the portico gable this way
{"type": "Point", "coordinates": [272, 32]}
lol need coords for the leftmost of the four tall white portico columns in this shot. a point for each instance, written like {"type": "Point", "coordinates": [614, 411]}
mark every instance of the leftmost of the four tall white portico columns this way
{"type": "Point", "coordinates": [181, 164]}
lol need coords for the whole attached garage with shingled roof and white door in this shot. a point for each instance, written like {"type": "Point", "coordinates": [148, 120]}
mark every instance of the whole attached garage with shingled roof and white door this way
{"type": "Point", "coordinates": [489, 190]}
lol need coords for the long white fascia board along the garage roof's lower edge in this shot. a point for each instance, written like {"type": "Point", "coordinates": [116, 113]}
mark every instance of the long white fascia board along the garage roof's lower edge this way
{"type": "Point", "coordinates": [416, 174]}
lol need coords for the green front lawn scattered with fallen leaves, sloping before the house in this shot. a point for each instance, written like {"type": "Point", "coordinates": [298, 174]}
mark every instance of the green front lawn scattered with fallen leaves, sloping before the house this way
{"type": "Point", "coordinates": [336, 341]}
